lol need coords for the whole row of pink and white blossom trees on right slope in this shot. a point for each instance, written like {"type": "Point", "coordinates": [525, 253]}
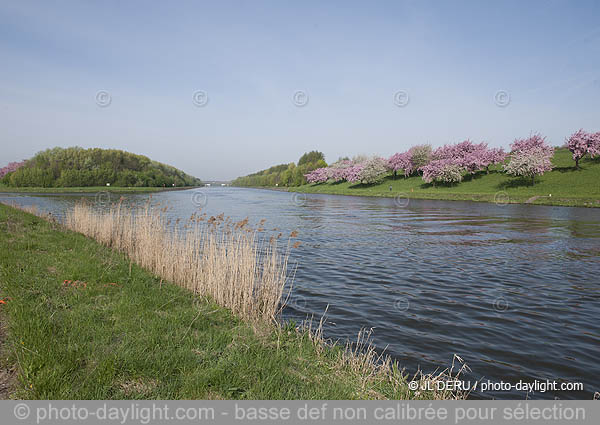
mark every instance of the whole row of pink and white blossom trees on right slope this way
{"type": "Point", "coordinates": [449, 164]}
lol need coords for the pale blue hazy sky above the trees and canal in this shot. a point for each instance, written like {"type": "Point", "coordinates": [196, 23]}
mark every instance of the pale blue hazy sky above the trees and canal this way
{"type": "Point", "coordinates": [451, 58]}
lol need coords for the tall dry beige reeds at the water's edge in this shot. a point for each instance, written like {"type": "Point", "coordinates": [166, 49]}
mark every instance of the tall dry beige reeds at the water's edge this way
{"type": "Point", "coordinates": [215, 257]}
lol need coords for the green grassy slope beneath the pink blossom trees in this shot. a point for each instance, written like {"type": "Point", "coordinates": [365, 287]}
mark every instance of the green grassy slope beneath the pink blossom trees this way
{"type": "Point", "coordinates": [567, 186]}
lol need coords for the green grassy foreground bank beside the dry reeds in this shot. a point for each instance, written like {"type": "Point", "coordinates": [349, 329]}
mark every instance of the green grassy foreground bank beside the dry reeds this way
{"type": "Point", "coordinates": [141, 339]}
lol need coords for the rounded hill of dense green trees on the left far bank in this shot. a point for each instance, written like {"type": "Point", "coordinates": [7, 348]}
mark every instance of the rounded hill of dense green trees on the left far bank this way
{"type": "Point", "coordinates": [79, 167]}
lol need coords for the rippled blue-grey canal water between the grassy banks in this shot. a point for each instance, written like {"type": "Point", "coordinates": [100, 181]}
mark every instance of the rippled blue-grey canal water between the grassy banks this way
{"type": "Point", "coordinates": [512, 289]}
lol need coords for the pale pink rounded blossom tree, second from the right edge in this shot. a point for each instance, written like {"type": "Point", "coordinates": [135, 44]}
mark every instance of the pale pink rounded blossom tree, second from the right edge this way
{"type": "Point", "coordinates": [530, 157]}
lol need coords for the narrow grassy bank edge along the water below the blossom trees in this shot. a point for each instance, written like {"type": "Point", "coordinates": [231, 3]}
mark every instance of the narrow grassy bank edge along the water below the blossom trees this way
{"type": "Point", "coordinates": [498, 198]}
